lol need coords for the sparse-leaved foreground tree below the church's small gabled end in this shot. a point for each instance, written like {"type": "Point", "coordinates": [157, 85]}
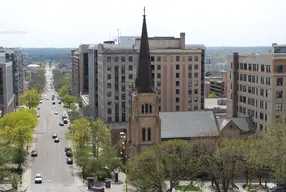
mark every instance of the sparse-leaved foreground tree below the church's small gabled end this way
{"type": "Point", "coordinates": [220, 160]}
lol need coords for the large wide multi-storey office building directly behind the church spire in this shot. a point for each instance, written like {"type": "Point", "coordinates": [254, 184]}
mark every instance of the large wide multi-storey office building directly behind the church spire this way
{"type": "Point", "coordinates": [178, 72]}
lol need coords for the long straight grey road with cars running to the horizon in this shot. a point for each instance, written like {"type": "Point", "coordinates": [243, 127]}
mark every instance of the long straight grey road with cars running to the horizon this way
{"type": "Point", "coordinates": [51, 159]}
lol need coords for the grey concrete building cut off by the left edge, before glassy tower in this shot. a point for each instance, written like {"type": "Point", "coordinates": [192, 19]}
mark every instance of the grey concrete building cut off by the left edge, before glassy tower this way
{"type": "Point", "coordinates": [7, 103]}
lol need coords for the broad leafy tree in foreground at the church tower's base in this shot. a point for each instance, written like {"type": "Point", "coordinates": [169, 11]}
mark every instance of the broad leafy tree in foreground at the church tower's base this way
{"type": "Point", "coordinates": [170, 161]}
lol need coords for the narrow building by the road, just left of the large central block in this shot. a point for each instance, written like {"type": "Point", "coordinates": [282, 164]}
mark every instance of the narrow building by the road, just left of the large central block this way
{"type": "Point", "coordinates": [80, 70]}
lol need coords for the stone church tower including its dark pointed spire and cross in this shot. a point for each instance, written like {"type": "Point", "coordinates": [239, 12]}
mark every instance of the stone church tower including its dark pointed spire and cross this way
{"type": "Point", "coordinates": [144, 128]}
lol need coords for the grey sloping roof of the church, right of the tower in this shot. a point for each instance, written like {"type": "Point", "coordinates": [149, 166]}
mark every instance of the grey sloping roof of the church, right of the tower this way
{"type": "Point", "coordinates": [188, 124]}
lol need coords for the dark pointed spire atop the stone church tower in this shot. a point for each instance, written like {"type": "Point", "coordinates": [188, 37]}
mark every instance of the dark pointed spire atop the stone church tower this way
{"type": "Point", "coordinates": [144, 81]}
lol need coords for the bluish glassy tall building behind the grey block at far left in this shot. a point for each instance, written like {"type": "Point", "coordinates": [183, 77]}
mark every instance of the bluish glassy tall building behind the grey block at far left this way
{"type": "Point", "coordinates": [15, 55]}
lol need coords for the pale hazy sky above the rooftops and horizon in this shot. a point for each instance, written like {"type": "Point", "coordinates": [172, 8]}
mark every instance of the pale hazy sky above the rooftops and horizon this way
{"type": "Point", "coordinates": [69, 23]}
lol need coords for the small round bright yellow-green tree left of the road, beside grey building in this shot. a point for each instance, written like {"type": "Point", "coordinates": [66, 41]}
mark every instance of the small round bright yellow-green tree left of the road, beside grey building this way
{"type": "Point", "coordinates": [30, 98]}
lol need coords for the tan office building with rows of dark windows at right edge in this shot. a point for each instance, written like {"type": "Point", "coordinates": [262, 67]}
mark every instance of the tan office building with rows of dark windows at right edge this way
{"type": "Point", "coordinates": [257, 86]}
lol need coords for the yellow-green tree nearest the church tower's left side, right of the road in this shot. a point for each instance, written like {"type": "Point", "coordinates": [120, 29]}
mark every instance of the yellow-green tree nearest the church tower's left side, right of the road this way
{"type": "Point", "coordinates": [100, 135]}
